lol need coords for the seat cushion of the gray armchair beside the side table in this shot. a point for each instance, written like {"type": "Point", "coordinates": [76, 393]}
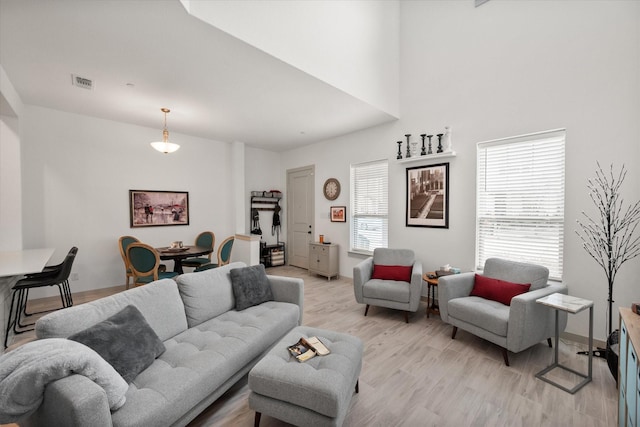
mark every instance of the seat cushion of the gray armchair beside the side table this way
{"type": "Point", "coordinates": [484, 313]}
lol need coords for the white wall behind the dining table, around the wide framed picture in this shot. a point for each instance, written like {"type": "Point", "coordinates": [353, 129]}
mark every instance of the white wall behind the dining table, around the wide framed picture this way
{"type": "Point", "coordinates": [77, 172]}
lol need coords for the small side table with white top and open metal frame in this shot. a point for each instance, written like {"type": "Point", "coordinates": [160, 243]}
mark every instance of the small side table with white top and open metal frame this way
{"type": "Point", "coordinates": [571, 305]}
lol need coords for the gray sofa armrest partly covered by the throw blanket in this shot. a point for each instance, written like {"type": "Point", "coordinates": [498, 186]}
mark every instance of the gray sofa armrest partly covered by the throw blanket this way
{"type": "Point", "coordinates": [72, 401]}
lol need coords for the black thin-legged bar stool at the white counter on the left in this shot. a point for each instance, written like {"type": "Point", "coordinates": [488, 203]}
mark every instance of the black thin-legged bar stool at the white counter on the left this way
{"type": "Point", "coordinates": [57, 275]}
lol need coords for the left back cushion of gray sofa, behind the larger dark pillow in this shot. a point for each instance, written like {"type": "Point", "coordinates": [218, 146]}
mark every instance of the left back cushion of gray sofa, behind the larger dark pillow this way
{"type": "Point", "coordinates": [159, 302]}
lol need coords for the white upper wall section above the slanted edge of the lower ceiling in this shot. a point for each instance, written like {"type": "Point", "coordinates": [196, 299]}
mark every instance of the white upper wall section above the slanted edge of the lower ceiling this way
{"type": "Point", "coordinates": [352, 45]}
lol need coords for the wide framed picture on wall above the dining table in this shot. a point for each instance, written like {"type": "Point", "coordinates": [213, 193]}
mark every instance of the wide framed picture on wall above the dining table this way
{"type": "Point", "coordinates": [158, 208]}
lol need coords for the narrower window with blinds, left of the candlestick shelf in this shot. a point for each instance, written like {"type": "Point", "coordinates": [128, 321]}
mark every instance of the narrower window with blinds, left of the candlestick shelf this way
{"type": "Point", "coordinates": [369, 206]}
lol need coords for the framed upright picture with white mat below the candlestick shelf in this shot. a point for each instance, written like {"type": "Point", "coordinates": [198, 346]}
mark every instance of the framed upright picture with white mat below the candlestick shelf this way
{"type": "Point", "coordinates": [428, 196]}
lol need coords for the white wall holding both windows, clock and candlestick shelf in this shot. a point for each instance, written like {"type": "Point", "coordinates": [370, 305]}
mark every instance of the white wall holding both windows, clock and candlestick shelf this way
{"type": "Point", "coordinates": [505, 69]}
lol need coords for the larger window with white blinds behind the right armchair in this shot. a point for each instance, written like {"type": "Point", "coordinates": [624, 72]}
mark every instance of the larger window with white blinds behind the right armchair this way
{"type": "Point", "coordinates": [520, 200]}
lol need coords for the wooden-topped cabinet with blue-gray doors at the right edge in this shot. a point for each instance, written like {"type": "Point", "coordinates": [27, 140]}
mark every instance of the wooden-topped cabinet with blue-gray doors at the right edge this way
{"type": "Point", "coordinates": [629, 370]}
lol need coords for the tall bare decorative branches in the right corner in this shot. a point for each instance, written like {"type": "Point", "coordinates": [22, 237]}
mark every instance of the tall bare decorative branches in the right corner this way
{"type": "Point", "coordinates": [609, 239]}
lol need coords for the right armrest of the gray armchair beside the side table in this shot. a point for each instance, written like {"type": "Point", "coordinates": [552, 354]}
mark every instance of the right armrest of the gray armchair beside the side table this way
{"type": "Point", "coordinates": [530, 322]}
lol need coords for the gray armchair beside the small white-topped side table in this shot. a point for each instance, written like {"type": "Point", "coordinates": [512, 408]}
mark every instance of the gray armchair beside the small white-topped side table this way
{"type": "Point", "coordinates": [515, 327]}
